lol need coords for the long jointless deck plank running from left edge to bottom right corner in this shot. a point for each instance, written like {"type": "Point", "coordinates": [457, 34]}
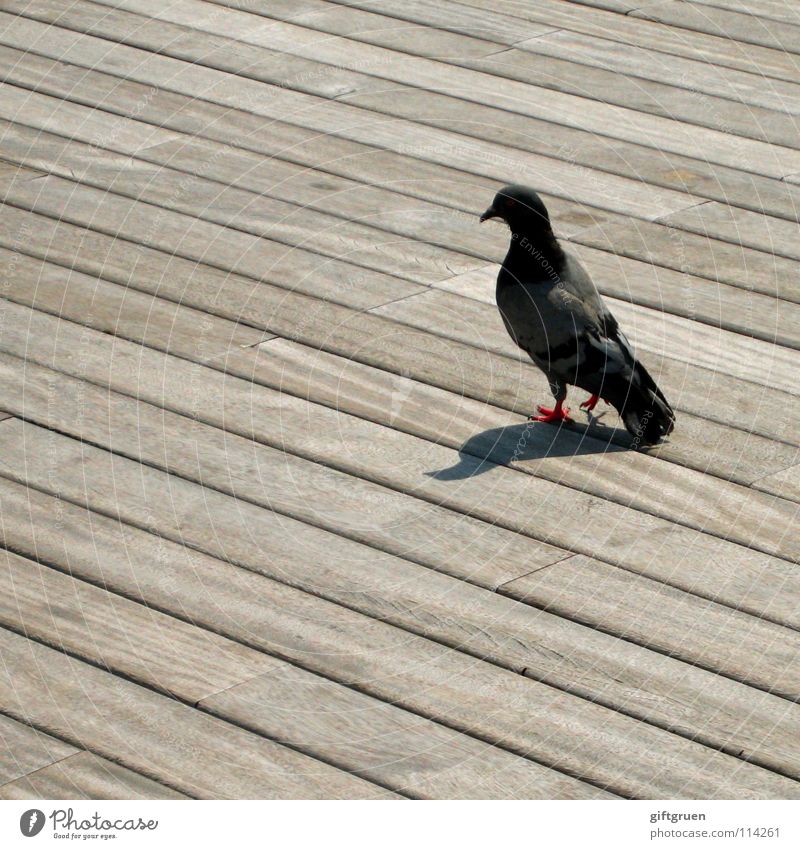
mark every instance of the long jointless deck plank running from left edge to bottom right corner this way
{"type": "Point", "coordinates": [475, 696]}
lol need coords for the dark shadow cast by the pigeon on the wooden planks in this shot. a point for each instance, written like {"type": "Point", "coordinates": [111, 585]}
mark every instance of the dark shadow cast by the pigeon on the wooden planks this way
{"type": "Point", "coordinates": [530, 441]}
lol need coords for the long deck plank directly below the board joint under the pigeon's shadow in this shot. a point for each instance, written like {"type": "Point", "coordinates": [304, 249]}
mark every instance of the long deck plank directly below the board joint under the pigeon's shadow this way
{"type": "Point", "coordinates": [578, 659]}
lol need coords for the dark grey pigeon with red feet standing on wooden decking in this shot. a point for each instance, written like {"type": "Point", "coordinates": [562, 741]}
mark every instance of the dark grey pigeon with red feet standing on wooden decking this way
{"type": "Point", "coordinates": [554, 313]}
